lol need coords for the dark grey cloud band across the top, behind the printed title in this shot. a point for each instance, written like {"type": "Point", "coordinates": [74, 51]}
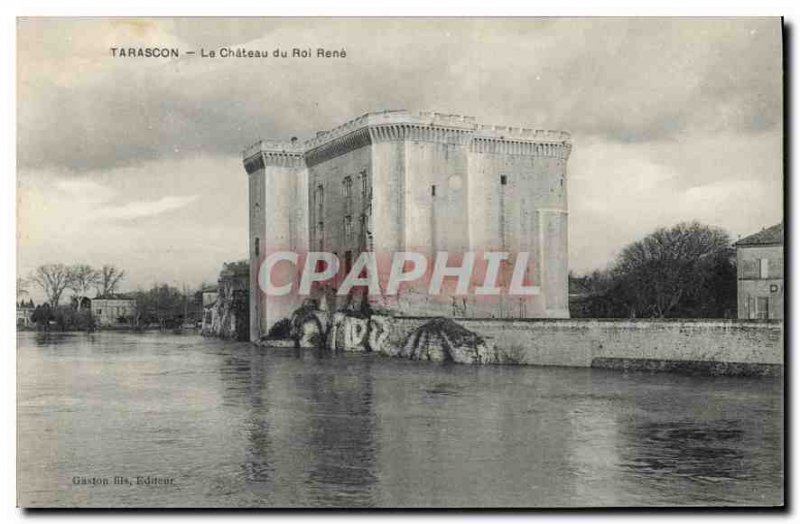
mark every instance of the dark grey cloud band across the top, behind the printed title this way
{"type": "Point", "coordinates": [626, 80]}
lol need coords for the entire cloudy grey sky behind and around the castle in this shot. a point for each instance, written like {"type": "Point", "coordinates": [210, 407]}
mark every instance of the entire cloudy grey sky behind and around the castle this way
{"type": "Point", "coordinates": [137, 162]}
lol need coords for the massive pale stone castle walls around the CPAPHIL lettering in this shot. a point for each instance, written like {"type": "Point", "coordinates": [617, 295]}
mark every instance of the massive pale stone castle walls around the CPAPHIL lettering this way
{"type": "Point", "coordinates": [397, 181]}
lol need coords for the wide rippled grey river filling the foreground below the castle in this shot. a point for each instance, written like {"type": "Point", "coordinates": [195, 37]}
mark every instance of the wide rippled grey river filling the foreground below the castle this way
{"type": "Point", "coordinates": [178, 420]}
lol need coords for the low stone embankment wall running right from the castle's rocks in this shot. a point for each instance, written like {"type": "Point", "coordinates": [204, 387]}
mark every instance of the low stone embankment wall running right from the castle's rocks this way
{"type": "Point", "coordinates": [708, 346]}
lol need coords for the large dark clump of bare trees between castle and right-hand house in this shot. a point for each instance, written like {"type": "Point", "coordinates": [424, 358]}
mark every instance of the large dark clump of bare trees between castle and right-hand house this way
{"type": "Point", "coordinates": [685, 271]}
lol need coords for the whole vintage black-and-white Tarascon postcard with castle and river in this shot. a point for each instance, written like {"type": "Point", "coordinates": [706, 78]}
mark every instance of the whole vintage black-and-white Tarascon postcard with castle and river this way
{"type": "Point", "coordinates": [400, 263]}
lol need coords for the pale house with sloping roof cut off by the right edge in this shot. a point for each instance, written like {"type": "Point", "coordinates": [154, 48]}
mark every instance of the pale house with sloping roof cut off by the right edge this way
{"type": "Point", "coordinates": [759, 259]}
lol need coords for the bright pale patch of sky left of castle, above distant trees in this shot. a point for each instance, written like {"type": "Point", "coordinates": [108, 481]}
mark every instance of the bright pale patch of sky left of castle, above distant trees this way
{"type": "Point", "coordinates": [168, 221]}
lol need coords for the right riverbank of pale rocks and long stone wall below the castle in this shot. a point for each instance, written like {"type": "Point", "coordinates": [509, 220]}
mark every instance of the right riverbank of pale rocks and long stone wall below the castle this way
{"type": "Point", "coordinates": [711, 347]}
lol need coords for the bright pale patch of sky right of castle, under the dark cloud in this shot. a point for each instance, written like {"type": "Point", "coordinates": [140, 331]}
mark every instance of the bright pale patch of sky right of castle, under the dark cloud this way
{"type": "Point", "coordinates": [620, 192]}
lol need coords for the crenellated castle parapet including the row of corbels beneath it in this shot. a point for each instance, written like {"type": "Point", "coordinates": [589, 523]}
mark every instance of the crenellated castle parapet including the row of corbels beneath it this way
{"type": "Point", "coordinates": [401, 125]}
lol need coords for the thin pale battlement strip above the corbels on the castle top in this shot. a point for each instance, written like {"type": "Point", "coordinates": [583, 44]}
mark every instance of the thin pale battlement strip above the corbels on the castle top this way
{"type": "Point", "coordinates": [466, 125]}
